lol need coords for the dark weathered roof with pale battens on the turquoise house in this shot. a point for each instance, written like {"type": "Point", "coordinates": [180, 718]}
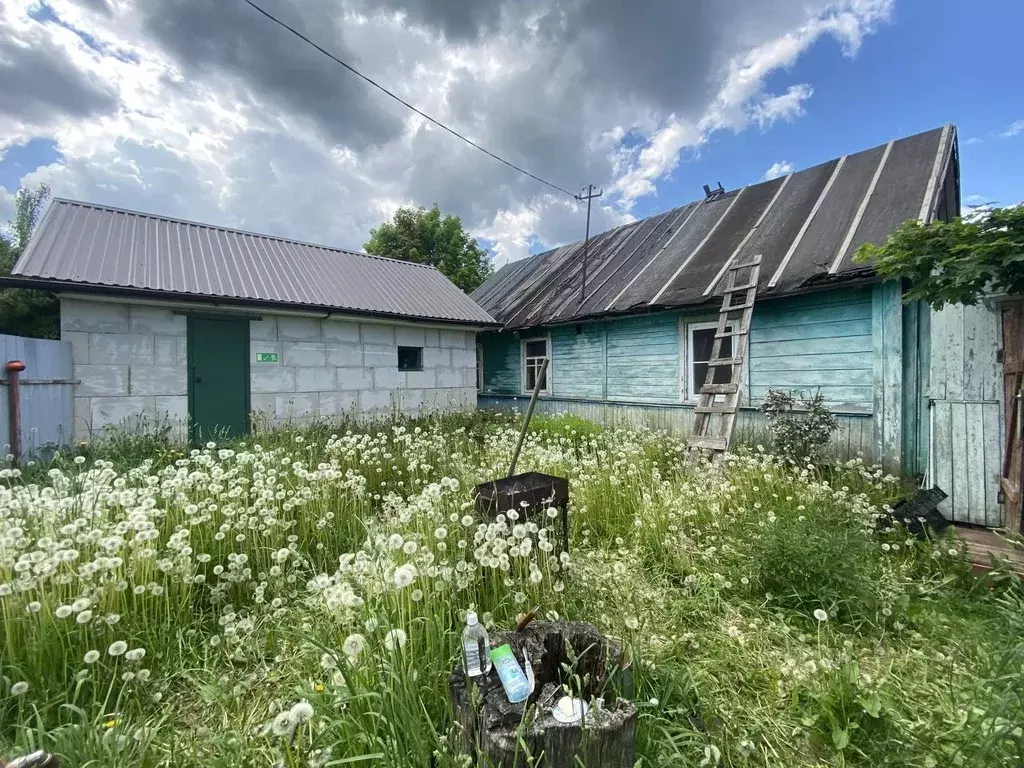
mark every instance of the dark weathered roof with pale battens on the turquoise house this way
{"type": "Point", "coordinates": [805, 226]}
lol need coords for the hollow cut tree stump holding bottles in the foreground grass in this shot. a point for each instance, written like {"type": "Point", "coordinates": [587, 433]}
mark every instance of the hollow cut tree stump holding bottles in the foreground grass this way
{"type": "Point", "coordinates": [494, 731]}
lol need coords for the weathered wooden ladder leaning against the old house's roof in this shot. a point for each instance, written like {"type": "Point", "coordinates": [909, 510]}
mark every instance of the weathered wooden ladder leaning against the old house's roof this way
{"type": "Point", "coordinates": [713, 422]}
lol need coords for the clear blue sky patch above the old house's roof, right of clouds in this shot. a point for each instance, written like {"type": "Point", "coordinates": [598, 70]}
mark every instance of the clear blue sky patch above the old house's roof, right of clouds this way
{"type": "Point", "coordinates": [936, 63]}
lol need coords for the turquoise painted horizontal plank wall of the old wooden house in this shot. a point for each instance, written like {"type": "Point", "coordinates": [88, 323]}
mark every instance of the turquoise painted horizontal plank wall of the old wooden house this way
{"type": "Point", "coordinates": [797, 344]}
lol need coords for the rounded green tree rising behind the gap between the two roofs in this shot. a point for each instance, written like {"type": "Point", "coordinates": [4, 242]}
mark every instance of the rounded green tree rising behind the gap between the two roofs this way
{"type": "Point", "coordinates": [424, 237]}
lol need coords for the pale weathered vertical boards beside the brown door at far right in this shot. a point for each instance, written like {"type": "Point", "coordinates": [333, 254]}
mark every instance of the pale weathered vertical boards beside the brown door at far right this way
{"type": "Point", "coordinates": [966, 398]}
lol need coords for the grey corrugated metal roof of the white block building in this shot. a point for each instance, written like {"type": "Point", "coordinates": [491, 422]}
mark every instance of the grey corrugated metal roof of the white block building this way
{"type": "Point", "coordinates": [91, 246]}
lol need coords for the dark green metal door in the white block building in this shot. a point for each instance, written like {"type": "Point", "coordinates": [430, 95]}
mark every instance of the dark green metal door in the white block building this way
{"type": "Point", "coordinates": [219, 377]}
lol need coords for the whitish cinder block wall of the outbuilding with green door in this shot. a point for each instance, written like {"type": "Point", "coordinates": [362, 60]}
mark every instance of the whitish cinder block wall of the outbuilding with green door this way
{"type": "Point", "coordinates": [131, 362]}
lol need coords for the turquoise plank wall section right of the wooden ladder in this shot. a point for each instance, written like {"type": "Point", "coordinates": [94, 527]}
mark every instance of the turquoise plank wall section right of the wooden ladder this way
{"type": "Point", "coordinates": [817, 342]}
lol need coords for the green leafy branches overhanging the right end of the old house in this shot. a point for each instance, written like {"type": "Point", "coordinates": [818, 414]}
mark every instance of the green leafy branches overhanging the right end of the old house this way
{"type": "Point", "coordinates": [959, 262]}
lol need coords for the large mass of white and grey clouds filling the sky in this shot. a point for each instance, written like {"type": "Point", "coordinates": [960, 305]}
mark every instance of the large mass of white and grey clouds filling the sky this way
{"type": "Point", "coordinates": [207, 111]}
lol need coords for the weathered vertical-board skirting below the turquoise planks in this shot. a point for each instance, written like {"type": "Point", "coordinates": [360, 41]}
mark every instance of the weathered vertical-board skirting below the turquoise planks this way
{"type": "Point", "coordinates": [854, 439]}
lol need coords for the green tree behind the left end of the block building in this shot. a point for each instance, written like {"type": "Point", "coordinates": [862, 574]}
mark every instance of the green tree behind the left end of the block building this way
{"type": "Point", "coordinates": [25, 313]}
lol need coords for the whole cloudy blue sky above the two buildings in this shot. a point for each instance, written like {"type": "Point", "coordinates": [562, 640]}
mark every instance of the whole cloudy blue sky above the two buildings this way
{"type": "Point", "coordinates": [207, 111]}
